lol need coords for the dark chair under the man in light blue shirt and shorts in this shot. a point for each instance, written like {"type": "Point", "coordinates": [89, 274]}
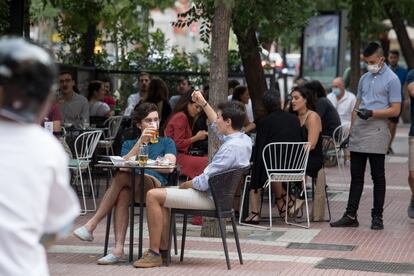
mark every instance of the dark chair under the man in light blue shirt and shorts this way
{"type": "Point", "coordinates": [223, 188]}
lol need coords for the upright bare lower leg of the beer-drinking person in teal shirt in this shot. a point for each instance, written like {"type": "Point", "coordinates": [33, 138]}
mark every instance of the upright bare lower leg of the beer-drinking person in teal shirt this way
{"type": "Point", "coordinates": [121, 216]}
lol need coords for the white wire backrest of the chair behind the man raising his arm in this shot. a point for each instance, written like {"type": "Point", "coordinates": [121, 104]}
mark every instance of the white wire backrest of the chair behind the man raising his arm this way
{"type": "Point", "coordinates": [285, 158]}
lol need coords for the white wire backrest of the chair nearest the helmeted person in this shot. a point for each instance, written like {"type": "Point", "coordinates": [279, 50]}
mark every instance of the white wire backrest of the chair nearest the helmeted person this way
{"type": "Point", "coordinates": [85, 144]}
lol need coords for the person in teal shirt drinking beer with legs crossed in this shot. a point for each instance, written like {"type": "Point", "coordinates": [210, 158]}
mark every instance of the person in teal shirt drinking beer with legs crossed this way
{"type": "Point", "coordinates": [146, 119]}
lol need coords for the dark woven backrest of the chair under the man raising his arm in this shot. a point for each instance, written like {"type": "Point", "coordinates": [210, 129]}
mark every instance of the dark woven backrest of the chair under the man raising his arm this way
{"type": "Point", "coordinates": [223, 188]}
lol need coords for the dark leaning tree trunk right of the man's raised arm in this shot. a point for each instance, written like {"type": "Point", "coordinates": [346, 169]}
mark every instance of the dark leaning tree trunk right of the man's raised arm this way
{"type": "Point", "coordinates": [253, 70]}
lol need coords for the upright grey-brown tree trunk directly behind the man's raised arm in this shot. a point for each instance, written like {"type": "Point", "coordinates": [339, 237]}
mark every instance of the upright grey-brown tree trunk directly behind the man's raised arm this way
{"type": "Point", "coordinates": [218, 85]}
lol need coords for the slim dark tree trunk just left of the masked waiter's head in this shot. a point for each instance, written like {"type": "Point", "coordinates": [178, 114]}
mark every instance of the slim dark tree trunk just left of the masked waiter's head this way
{"type": "Point", "coordinates": [355, 39]}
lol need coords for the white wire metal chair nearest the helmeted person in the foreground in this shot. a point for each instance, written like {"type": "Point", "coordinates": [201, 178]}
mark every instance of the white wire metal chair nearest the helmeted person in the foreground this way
{"type": "Point", "coordinates": [85, 145]}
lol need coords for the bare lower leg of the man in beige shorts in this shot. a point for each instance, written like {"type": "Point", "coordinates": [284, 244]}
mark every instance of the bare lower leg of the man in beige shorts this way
{"type": "Point", "coordinates": [155, 201]}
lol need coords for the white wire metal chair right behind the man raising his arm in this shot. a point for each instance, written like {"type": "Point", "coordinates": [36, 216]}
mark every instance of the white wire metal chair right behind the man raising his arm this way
{"type": "Point", "coordinates": [284, 162]}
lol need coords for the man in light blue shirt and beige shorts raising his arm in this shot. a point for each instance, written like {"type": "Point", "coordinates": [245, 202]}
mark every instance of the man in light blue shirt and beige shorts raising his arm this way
{"type": "Point", "coordinates": [195, 194]}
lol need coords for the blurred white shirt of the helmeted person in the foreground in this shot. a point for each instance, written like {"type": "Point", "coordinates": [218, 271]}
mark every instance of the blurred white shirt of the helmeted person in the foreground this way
{"type": "Point", "coordinates": [35, 196]}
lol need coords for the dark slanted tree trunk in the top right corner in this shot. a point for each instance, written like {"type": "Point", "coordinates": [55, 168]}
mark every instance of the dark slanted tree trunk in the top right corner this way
{"type": "Point", "coordinates": [401, 31]}
